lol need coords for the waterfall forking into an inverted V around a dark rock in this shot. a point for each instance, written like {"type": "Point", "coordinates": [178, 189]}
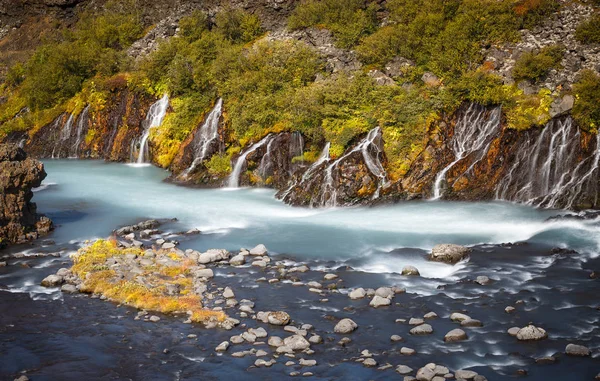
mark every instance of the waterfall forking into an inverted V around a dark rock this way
{"type": "Point", "coordinates": [329, 190]}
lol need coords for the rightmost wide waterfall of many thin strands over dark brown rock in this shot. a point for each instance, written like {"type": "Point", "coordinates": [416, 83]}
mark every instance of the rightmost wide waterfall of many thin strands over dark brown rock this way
{"type": "Point", "coordinates": [546, 171]}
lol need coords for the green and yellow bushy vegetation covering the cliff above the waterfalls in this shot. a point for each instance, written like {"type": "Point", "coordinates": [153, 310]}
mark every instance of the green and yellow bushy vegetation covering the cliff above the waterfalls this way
{"type": "Point", "coordinates": [271, 84]}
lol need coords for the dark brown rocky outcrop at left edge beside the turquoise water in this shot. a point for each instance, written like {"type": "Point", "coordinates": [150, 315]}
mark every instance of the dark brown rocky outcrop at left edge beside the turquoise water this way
{"type": "Point", "coordinates": [19, 221]}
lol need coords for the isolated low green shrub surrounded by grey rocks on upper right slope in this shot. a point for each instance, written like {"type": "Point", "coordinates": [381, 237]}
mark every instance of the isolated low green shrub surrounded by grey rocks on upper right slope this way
{"type": "Point", "coordinates": [535, 66]}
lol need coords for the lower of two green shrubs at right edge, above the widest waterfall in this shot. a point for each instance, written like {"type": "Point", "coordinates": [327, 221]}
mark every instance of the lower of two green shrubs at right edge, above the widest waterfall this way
{"type": "Point", "coordinates": [586, 110]}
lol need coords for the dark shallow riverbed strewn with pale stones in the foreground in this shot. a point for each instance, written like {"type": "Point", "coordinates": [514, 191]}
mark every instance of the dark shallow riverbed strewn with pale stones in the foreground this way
{"type": "Point", "coordinates": [310, 319]}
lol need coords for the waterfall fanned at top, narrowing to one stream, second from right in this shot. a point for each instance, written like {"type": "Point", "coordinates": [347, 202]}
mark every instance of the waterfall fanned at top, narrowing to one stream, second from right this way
{"type": "Point", "coordinates": [474, 132]}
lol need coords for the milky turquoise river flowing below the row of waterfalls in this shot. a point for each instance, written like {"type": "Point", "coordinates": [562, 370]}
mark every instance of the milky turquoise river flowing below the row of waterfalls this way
{"type": "Point", "coordinates": [91, 198]}
